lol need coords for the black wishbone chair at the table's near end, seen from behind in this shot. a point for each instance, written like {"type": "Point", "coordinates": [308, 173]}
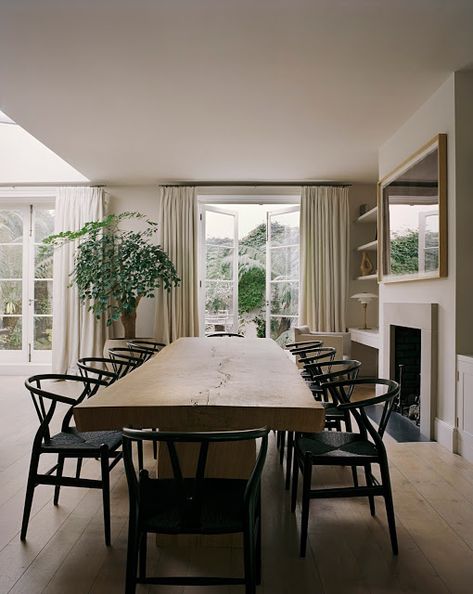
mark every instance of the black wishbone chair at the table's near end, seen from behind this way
{"type": "Point", "coordinates": [193, 505]}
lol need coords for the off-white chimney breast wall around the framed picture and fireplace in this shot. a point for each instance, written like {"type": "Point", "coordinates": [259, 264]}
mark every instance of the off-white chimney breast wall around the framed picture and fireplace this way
{"type": "Point", "coordinates": [436, 116]}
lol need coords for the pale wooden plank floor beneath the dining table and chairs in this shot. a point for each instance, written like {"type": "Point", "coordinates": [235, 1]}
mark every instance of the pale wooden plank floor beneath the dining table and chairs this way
{"type": "Point", "coordinates": [349, 551]}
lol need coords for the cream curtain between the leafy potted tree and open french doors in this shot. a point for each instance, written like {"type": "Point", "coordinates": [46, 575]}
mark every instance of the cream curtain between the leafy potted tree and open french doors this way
{"type": "Point", "coordinates": [177, 312]}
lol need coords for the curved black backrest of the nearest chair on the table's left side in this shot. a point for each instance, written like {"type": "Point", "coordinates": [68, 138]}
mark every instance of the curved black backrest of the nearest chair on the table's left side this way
{"type": "Point", "coordinates": [46, 400]}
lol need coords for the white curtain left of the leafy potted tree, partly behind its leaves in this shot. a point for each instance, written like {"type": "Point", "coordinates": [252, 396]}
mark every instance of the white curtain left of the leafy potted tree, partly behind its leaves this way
{"type": "Point", "coordinates": [76, 332]}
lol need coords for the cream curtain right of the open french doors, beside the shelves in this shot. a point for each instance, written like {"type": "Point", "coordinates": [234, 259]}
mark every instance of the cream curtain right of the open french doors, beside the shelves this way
{"type": "Point", "coordinates": [325, 241]}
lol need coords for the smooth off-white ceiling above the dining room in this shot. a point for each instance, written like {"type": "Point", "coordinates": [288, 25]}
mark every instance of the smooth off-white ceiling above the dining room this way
{"type": "Point", "coordinates": [141, 91]}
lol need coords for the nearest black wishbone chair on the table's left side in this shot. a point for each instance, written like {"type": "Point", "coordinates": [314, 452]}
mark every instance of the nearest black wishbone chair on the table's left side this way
{"type": "Point", "coordinates": [68, 443]}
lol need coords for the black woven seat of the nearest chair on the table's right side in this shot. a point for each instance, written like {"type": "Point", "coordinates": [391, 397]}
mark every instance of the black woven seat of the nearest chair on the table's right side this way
{"type": "Point", "coordinates": [335, 444]}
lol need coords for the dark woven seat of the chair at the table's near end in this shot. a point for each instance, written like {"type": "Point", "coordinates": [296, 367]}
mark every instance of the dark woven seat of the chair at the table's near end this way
{"type": "Point", "coordinates": [219, 511]}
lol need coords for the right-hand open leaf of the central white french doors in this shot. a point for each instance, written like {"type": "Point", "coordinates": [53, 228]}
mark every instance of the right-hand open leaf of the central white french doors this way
{"type": "Point", "coordinates": [282, 272]}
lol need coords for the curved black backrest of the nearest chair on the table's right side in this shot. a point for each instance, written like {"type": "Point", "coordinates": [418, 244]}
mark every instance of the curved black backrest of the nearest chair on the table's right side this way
{"type": "Point", "coordinates": [342, 393]}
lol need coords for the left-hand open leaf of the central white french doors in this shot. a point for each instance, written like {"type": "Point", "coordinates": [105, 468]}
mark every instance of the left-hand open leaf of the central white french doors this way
{"type": "Point", "coordinates": [219, 260]}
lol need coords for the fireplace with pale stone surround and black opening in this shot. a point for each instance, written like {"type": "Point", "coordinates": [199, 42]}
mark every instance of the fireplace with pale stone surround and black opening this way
{"type": "Point", "coordinates": [409, 354]}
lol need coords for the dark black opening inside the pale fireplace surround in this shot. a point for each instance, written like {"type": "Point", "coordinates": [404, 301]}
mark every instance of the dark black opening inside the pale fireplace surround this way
{"type": "Point", "coordinates": [406, 359]}
